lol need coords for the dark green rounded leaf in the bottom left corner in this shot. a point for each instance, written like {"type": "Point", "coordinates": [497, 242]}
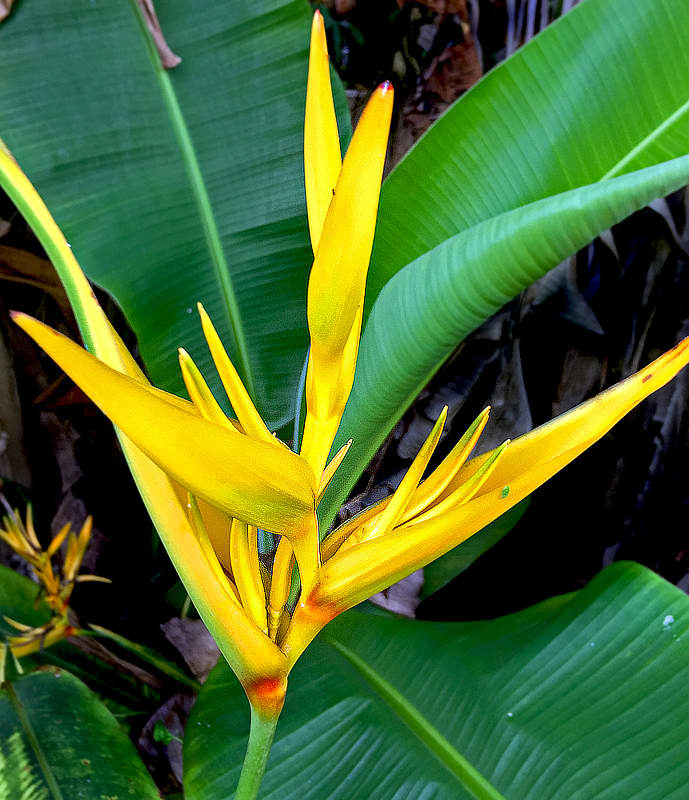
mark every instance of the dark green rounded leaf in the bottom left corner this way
{"type": "Point", "coordinates": [59, 742]}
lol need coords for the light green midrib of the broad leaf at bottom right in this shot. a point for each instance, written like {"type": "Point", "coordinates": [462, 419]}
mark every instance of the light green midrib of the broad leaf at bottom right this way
{"type": "Point", "coordinates": [459, 766]}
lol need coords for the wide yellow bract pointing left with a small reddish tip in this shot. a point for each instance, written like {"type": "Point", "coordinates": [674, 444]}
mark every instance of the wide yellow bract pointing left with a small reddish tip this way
{"type": "Point", "coordinates": [249, 479]}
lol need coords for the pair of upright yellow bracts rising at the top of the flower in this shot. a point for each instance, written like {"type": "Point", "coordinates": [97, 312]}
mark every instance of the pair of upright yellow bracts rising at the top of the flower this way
{"type": "Point", "coordinates": [342, 208]}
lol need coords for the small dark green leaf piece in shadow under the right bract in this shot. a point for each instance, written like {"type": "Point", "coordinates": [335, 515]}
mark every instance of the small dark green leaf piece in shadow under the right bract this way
{"type": "Point", "coordinates": [444, 569]}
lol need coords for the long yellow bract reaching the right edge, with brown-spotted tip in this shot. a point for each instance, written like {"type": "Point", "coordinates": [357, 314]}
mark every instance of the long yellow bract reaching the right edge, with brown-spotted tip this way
{"type": "Point", "coordinates": [529, 461]}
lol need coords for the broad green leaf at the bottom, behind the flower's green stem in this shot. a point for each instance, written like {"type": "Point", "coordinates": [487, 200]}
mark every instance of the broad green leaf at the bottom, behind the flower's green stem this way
{"type": "Point", "coordinates": [580, 697]}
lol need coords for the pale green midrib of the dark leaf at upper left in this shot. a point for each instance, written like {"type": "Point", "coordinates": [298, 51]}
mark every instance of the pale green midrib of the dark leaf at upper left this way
{"type": "Point", "coordinates": [203, 203]}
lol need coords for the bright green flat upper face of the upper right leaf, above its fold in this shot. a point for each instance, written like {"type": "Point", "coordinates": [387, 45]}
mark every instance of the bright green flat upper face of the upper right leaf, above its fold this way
{"type": "Point", "coordinates": [601, 92]}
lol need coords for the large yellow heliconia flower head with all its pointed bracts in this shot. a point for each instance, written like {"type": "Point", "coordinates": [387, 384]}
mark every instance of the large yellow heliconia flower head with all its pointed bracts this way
{"type": "Point", "coordinates": [210, 482]}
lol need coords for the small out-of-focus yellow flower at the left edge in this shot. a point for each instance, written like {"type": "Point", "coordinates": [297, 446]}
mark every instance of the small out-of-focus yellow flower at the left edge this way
{"type": "Point", "coordinates": [56, 582]}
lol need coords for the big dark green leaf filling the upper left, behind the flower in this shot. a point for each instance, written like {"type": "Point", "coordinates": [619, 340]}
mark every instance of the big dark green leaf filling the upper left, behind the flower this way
{"type": "Point", "coordinates": [178, 186]}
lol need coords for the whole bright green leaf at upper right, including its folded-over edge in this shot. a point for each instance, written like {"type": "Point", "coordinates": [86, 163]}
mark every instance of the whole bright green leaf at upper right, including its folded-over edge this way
{"type": "Point", "coordinates": [600, 93]}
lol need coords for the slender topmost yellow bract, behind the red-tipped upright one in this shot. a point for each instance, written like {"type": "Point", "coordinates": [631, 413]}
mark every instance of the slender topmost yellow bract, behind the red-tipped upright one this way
{"type": "Point", "coordinates": [322, 159]}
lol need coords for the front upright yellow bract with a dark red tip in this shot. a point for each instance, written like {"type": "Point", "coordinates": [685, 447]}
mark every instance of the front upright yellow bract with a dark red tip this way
{"type": "Point", "coordinates": [338, 278]}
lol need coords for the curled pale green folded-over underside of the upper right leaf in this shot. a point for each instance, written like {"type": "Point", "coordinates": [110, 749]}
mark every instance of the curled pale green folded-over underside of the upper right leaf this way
{"type": "Point", "coordinates": [443, 295]}
